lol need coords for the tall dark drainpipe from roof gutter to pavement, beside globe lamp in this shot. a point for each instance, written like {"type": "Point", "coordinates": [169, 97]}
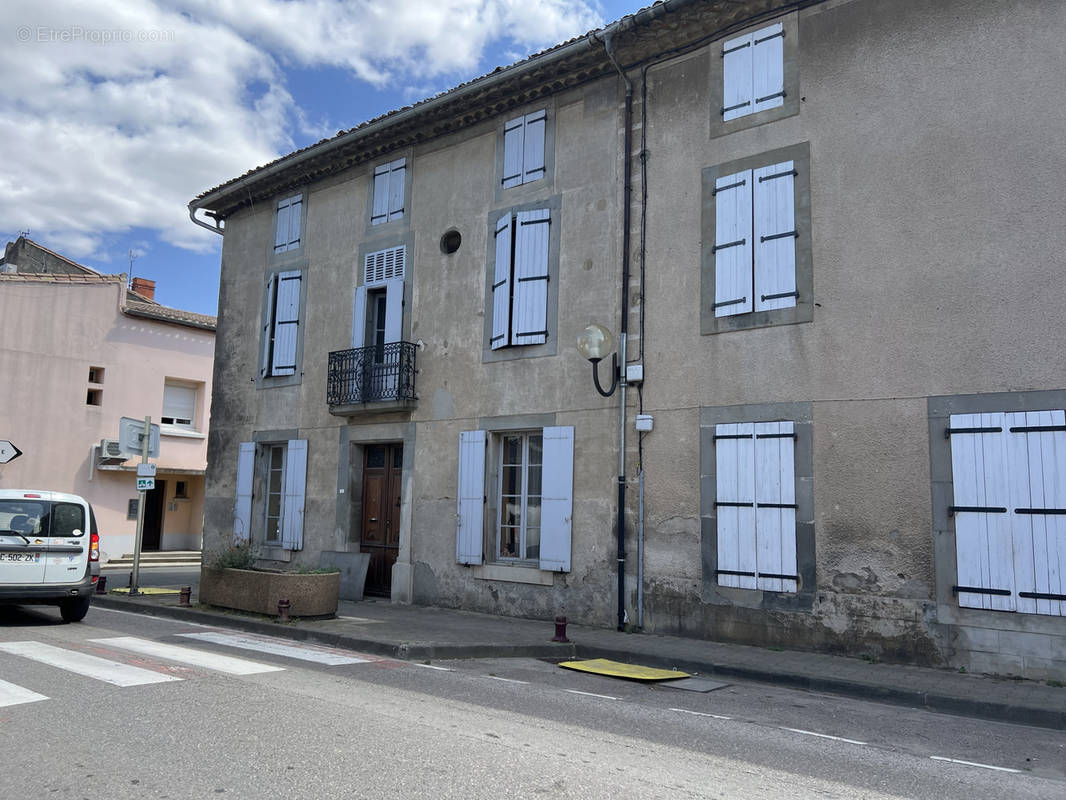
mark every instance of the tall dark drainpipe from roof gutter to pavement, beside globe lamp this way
{"type": "Point", "coordinates": [624, 325]}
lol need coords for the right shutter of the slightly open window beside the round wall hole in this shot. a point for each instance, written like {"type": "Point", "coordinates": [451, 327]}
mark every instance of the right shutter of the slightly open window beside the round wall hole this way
{"type": "Point", "coordinates": [529, 322]}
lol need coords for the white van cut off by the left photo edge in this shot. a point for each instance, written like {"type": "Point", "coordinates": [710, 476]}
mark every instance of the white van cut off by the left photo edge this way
{"type": "Point", "coordinates": [50, 551]}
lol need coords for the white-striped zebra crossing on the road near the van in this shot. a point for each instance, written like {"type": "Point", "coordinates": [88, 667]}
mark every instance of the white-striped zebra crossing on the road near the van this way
{"type": "Point", "coordinates": [155, 659]}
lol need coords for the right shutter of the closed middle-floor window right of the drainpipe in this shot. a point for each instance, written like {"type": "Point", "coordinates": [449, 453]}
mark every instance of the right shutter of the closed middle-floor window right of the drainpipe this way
{"type": "Point", "coordinates": [774, 236]}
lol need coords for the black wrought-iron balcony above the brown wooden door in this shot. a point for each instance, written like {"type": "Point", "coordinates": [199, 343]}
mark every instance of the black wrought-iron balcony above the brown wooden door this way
{"type": "Point", "coordinates": [372, 380]}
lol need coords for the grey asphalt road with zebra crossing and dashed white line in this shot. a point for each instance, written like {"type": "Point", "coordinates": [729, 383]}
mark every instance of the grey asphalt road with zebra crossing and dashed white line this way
{"type": "Point", "coordinates": [190, 722]}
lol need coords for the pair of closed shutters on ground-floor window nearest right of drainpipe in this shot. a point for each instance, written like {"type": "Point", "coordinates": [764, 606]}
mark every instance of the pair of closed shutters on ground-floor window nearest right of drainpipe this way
{"type": "Point", "coordinates": [756, 506]}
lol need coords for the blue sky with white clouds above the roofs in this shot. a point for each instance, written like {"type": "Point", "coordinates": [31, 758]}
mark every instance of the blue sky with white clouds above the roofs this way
{"type": "Point", "coordinates": [115, 116]}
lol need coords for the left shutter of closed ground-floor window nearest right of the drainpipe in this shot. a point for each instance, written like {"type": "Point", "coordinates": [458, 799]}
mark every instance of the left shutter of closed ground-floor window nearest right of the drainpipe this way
{"type": "Point", "coordinates": [735, 465]}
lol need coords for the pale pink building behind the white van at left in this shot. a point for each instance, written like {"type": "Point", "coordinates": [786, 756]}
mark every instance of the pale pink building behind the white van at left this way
{"type": "Point", "coordinates": [79, 351]}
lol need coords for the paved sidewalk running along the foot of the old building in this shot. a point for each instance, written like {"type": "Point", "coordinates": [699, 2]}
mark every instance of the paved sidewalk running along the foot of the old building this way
{"type": "Point", "coordinates": [426, 634]}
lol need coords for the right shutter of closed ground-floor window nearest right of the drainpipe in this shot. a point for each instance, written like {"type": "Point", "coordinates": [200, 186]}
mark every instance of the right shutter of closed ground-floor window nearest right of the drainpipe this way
{"type": "Point", "coordinates": [776, 514]}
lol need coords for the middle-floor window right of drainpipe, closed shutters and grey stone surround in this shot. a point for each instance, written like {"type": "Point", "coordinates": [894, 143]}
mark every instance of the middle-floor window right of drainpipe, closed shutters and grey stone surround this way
{"type": "Point", "coordinates": [757, 258]}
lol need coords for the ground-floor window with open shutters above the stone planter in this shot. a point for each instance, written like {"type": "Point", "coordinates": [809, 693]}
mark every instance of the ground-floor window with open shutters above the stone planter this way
{"type": "Point", "coordinates": [280, 472]}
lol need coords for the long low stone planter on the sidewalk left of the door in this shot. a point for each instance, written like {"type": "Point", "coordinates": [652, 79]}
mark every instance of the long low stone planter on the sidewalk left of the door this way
{"type": "Point", "coordinates": [310, 595]}
